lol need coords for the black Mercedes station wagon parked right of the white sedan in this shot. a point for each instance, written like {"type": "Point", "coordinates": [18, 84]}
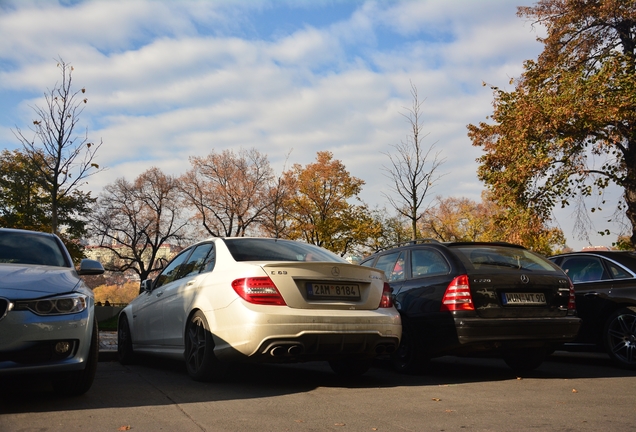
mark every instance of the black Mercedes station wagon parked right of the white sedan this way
{"type": "Point", "coordinates": [494, 299]}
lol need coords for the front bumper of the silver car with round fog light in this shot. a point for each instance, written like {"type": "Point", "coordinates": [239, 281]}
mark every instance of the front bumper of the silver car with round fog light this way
{"type": "Point", "coordinates": [29, 343]}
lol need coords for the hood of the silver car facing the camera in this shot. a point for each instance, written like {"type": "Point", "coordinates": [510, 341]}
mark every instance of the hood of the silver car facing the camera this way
{"type": "Point", "coordinates": [26, 282]}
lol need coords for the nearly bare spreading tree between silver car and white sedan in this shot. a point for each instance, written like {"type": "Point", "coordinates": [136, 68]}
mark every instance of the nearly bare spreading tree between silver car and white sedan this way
{"type": "Point", "coordinates": [134, 220]}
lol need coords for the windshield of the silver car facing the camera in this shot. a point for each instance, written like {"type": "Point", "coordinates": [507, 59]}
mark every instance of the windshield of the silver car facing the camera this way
{"type": "Point", "coordinates": [29, 248]}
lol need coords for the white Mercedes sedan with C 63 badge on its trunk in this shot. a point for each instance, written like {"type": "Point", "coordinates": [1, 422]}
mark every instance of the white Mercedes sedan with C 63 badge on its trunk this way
{"type": "Point", "coordinates": [227, 300]}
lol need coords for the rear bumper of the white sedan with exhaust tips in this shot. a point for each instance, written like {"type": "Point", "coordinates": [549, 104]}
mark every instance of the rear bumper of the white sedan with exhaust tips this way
{"type": "Point", "coordinates": [310, 335]}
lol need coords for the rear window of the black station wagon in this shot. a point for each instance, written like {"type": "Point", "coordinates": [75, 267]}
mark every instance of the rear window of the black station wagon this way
{"type": "Point", "coordinates": [490, 256]}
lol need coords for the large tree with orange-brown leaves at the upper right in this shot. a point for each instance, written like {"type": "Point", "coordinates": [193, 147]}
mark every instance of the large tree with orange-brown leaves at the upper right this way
{"type": "Point", "coordinates": [567, 131]}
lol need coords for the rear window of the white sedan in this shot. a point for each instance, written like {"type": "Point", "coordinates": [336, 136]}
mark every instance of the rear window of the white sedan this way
{"type": "Point", "coordinates": [262, 249]}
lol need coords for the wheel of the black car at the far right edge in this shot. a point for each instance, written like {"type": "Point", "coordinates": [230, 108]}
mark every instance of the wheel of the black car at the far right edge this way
{"type": "Point", "coordinates": [620, 337]}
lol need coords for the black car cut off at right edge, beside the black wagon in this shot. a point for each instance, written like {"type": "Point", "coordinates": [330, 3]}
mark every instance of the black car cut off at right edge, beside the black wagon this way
{"type": "Point", "coordinates": [605, 287]}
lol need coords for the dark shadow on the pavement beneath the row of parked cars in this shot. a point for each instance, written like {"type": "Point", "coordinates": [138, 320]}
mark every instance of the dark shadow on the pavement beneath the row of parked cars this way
{"type": "Point", "coordinates": [155, 381]}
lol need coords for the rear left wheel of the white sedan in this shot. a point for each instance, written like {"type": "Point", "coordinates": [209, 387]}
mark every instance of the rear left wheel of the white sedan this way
{"type": "Point", "coordinates": [201, 363]}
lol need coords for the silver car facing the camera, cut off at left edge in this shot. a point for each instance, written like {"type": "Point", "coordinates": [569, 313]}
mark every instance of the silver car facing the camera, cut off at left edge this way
{"type": "Point", "coordinates": [47, 317]}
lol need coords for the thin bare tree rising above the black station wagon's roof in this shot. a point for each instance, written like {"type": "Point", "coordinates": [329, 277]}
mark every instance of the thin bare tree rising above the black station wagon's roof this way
{"type": "Point", "coordinates": [413, 168]}
